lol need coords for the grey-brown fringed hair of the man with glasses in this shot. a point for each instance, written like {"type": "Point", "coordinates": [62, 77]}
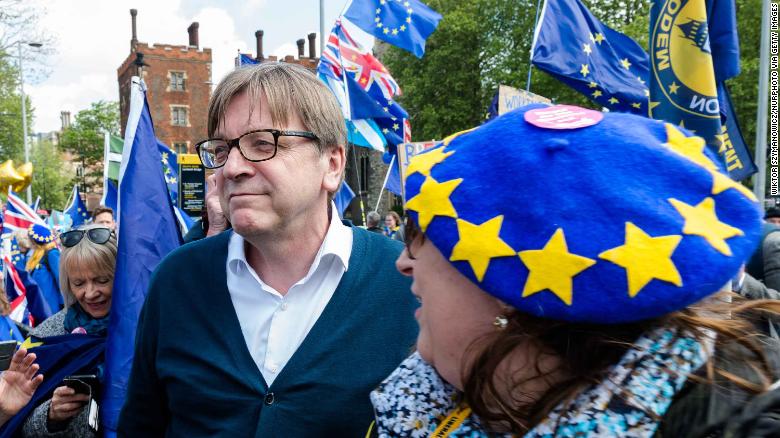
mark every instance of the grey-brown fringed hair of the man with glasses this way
{"type": "Point", "coordinates": [289, 89]}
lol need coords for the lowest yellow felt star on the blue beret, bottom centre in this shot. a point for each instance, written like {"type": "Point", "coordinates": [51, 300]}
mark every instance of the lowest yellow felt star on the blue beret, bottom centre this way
{"type": "Point", "coordinates": [553, 268]}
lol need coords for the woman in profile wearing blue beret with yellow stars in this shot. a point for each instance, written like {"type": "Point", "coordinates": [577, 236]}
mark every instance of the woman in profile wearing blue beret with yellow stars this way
{"type": "Point", "coordinates": [572, 269]}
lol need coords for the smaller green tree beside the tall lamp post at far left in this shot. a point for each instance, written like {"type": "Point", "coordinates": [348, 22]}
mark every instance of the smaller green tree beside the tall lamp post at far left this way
{"type": "Point", "coordinates": [50, 181]}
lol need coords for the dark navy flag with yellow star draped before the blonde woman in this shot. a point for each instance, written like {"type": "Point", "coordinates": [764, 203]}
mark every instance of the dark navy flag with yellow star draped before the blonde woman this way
{"type": "Point", "coordinates": [57, 357]}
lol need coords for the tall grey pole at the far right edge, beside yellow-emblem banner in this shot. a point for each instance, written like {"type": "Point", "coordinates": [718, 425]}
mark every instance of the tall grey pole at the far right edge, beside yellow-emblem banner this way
{"type": "Point", "coordinates": [759, 181]}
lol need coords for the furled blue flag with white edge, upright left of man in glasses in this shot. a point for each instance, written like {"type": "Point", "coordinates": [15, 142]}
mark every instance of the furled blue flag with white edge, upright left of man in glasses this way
{"type": "Point", "coordinates": [148, 231]}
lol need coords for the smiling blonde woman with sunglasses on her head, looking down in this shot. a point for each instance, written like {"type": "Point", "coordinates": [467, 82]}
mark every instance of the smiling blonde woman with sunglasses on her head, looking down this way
{"type": "Point", "coordinates": [87, 266]}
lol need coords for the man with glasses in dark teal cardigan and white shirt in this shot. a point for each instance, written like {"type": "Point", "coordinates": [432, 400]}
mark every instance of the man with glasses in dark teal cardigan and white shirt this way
{"type": "Point", "coordinates": [282, 325]}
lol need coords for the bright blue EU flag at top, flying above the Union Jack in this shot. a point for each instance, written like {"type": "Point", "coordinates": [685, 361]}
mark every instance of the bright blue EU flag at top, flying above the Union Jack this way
{"type": "Point", "coordinates": [402, 23]}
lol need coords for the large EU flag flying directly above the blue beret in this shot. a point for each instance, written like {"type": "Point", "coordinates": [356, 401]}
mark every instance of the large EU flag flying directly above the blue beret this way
{"type": "Point", "coordinates": [579, 50]}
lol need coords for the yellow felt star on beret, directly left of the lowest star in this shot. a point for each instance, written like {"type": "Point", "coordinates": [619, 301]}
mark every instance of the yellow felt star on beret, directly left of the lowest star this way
{"type": "Point", "coordinates": [478, 244]}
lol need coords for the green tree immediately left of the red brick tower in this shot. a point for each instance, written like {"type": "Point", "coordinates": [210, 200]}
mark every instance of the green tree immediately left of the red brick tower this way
{"type": "Point", "coordinates": [85, 137]}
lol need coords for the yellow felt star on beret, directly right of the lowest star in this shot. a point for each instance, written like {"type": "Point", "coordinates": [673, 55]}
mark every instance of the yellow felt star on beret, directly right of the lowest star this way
{"type": "Point", "coordinates": [645, 258]}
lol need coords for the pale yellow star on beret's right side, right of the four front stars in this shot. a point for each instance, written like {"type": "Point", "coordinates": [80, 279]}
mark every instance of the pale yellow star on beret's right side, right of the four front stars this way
{"type": "Point", "coordinates": [701, 220]}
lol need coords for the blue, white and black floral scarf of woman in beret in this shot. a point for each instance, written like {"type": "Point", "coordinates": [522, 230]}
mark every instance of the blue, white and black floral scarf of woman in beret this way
{"type": "Point", "coordinates": [414, 399]}
